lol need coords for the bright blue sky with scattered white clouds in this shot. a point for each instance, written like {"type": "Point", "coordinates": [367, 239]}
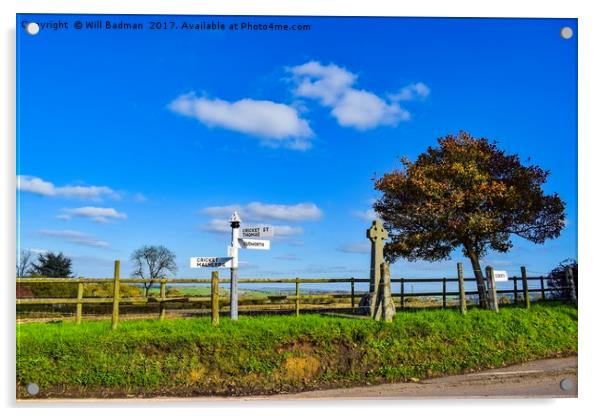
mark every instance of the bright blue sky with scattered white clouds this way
{"type": "Point", "coordinates": [141, 137]}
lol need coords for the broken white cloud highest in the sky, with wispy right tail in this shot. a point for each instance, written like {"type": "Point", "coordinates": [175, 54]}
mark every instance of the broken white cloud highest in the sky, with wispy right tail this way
{"type": "Point", "coordinates": [333, 87]}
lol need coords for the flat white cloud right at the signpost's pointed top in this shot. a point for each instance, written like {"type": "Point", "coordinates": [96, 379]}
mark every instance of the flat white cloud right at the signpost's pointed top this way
{"type": "Point", "coordinates": [257, 211]}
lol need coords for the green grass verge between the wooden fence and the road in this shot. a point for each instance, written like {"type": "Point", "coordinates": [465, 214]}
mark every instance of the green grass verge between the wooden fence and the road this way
{"type": "Point", "coordinates": [281, 353]}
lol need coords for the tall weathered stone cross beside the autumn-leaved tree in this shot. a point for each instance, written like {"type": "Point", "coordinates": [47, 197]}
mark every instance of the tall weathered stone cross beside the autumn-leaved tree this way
{"type": "Point", "coordinates": [380, 301]}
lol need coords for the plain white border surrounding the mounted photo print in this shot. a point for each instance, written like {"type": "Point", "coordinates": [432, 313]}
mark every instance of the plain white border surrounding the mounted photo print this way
{"type": "Point", "coordinates": [590, 134]}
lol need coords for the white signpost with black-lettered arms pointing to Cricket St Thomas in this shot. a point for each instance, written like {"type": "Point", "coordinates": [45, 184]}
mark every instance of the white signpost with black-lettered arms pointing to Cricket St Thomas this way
{"type": "Point", "coordinates": [241, 238]}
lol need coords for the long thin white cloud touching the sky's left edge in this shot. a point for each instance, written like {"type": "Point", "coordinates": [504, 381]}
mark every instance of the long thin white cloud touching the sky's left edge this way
{"type": "Point", "coordinates": [41, 187]}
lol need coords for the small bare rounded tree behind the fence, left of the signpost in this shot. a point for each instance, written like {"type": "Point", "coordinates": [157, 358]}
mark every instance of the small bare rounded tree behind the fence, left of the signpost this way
{"type": "Point", "coordinates": [153, 262]}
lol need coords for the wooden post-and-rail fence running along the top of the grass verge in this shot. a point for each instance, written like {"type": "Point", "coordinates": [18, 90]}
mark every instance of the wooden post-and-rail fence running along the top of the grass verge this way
{"type": "Point", "coordinates": [521, 291]}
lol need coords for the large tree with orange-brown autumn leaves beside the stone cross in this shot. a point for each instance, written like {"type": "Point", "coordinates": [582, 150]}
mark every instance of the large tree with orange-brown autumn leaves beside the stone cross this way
{"type": "Point", "coordinates": [465, 193]}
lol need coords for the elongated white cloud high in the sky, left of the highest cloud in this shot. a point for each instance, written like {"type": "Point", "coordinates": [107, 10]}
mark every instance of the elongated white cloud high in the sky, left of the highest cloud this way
{"type": "Point", "coordinates": [274, 123]}
